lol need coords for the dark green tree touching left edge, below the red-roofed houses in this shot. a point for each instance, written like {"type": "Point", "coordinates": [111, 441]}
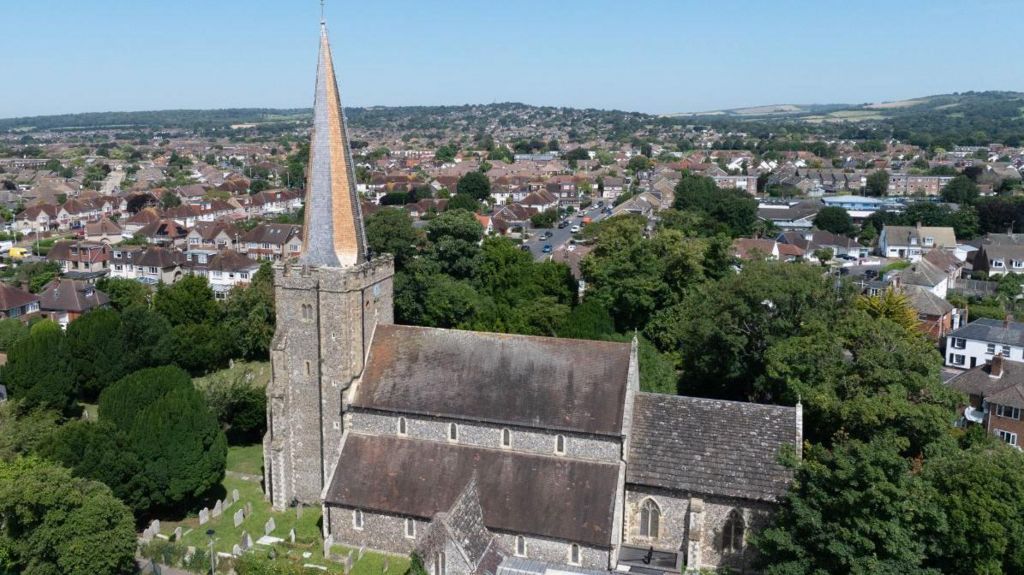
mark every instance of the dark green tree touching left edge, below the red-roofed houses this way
{"type": "Point", "coordinates": [38, 371]}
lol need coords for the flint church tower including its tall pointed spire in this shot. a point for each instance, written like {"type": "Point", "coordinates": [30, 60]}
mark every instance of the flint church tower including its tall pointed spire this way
{"type": "Point", "coordinates": [328, 306]}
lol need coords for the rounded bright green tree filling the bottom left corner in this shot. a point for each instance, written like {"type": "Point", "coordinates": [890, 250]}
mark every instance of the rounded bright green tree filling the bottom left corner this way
{"type": "Point", "coordinates": [54, 523]}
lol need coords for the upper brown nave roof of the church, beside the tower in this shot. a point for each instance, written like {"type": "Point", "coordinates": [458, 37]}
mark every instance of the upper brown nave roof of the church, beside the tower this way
{"type": "Point", "coordinates": [548, 383]}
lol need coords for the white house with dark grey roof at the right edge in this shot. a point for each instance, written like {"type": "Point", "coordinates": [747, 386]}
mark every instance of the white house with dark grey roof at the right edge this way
{"type": "Point", "coordinates": [978, 342]}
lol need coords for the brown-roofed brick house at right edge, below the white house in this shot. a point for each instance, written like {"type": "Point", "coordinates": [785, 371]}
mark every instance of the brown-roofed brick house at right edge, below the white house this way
{"type": "Point", "coordinates": [996, 392]}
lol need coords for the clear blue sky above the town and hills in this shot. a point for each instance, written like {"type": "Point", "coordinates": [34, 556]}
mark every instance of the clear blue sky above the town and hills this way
{"type": "Point", "coordinates": [650, 56]}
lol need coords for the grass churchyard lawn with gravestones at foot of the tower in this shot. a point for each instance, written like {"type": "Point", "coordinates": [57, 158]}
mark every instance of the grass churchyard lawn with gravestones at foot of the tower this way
{"type": "Point", "coordinates": [248, 461]}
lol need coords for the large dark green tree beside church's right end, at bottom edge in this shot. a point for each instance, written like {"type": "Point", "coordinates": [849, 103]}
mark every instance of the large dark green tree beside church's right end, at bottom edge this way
{"type": "Point", "coordinates": [857, 509]}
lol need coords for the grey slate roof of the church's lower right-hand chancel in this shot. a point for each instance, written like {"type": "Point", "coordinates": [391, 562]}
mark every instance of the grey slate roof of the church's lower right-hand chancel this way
{"type": "Point", "coordinates": [710, 447]}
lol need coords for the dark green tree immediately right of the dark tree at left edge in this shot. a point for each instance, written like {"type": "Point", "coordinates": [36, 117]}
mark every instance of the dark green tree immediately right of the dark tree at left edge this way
{"type": "Point", "coordinates": [98, 349]}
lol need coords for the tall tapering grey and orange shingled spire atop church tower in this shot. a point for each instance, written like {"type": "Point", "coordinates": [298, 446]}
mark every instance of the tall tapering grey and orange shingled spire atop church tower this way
{"type": "Point", "coordinates": [333, 235]}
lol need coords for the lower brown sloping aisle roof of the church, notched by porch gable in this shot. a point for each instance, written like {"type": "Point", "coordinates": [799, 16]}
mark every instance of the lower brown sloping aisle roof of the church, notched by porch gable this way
{"type": "Point", "coordinates": [547, 497]}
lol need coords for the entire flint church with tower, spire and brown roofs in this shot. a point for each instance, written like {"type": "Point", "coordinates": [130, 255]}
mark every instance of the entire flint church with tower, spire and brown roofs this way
{"type": "Point", "coordinates": [491, 454]}
